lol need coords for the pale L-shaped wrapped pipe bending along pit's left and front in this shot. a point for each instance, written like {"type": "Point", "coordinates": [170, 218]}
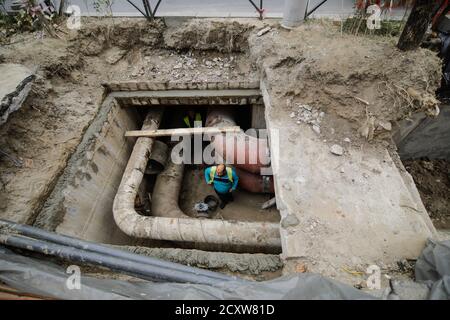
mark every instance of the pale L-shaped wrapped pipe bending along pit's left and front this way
{"type": "Point", "coordinates": [258, 234]}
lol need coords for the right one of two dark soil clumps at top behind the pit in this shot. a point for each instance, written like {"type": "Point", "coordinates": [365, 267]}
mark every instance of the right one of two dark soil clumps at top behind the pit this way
{"type": "Point", "coordinates": [209, 35]}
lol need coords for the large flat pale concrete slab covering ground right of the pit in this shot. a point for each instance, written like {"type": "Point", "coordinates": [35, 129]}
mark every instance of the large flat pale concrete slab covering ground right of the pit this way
{"type": "Point", "coordinates": [351, 211]}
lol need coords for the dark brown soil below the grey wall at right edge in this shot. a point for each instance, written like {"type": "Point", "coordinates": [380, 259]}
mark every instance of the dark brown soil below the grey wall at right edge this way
{"type": "Point", "coordinates": [432, 178]}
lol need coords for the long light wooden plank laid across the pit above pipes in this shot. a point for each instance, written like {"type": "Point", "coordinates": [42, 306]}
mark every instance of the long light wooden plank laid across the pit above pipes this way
{"type": "Point", "coordinates": [181, 132]}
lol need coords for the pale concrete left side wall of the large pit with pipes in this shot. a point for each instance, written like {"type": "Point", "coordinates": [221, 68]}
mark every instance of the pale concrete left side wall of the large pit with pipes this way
{"type": "Point", "coordinates": [81, 204]}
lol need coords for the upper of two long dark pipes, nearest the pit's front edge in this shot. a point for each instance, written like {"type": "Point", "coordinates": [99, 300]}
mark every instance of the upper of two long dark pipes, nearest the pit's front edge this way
{"type": "Point", "coordinates": [60, 239]}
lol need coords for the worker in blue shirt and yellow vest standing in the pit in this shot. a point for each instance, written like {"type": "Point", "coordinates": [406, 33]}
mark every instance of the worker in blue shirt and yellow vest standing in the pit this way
{"type": "Point", "coordinates": [225, 181]}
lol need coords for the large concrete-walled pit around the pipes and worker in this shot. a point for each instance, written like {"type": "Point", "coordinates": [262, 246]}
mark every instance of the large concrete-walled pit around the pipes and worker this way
{"type": "Point", "coordinates": [81, 203]}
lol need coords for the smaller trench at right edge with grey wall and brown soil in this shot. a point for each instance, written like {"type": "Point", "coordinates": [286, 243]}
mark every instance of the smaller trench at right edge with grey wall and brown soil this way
{"type": "Point", "coordinates": [424, 148]}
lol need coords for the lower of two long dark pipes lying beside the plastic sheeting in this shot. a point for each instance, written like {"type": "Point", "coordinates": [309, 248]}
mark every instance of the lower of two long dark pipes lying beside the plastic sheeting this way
{"type": "Point", "coordinates": [132, 268]}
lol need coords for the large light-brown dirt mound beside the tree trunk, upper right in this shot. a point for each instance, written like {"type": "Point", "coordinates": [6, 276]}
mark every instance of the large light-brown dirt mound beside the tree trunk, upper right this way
{"type": "Point", "coordinates": [365, 80]}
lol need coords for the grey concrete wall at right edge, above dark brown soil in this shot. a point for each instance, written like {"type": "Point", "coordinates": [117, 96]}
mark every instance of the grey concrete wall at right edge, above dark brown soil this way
{"type": "Point", "coordinates": [425, 136]}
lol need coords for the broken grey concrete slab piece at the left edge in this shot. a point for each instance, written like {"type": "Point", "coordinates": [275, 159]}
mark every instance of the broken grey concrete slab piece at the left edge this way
{"type": "Point", "coordinates": [15, 84]}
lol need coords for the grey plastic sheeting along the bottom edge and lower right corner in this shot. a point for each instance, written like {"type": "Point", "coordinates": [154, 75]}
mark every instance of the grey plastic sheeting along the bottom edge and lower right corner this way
{"type": "Point", "coordinates": [48, 279]}
